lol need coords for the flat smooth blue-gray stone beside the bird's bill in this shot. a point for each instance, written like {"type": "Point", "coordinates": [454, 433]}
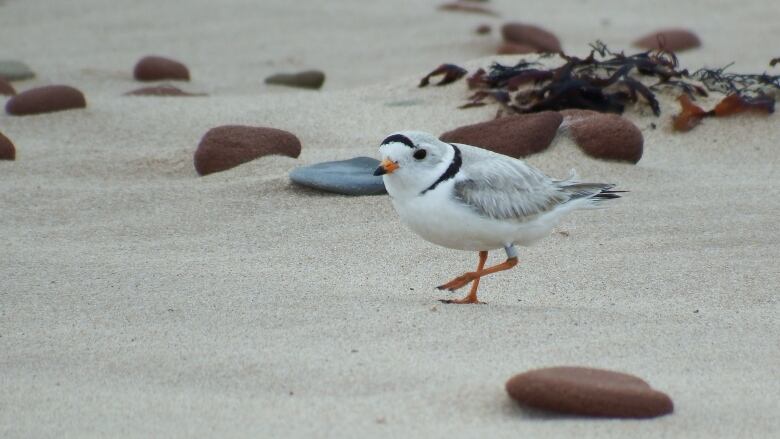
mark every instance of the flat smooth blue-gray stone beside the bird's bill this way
{"type": "Point", "coordinates": [349, 177]}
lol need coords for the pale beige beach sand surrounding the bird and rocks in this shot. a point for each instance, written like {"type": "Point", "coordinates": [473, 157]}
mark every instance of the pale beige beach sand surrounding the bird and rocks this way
{"type": "Point", "coordinates": [139, 300]}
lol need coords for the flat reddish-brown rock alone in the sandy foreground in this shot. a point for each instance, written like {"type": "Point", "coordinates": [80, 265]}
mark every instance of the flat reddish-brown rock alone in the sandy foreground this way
{"type": "Point", "coordinates": [589, 392]}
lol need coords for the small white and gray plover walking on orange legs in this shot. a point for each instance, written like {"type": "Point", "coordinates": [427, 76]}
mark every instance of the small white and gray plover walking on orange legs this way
{"type": "Point", "coordinates": [464, 197]}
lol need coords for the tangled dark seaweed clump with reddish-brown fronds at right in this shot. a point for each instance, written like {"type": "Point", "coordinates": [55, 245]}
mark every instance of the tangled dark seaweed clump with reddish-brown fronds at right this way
{"type": "Point", "coordinates": [607, 81]}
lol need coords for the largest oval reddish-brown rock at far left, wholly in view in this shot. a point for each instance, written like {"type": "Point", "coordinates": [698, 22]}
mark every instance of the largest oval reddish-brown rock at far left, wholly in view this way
{"type": "Point", "coordinates": [45, 100]}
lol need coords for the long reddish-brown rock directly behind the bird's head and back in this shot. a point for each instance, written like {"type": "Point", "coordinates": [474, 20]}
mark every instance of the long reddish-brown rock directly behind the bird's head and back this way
{"type": "Point", "coordinates": [515, 136]}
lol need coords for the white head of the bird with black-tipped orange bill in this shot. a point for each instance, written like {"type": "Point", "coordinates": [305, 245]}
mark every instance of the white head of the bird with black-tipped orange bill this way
{"type": "Point", "coordinates": [411, 156]}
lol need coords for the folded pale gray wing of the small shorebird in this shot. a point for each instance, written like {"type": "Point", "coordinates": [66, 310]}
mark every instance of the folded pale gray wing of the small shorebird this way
{"type": "Point", "coordinates": [502, 188]}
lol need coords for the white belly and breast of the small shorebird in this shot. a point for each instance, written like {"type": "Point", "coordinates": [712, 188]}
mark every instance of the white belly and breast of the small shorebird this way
{"type": "Point", "coordinates": [439, 219]}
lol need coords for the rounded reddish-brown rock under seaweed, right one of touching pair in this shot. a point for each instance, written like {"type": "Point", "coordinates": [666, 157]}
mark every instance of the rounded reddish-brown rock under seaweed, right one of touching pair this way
{"type": "Point", "coordinates": [605, 136]}
